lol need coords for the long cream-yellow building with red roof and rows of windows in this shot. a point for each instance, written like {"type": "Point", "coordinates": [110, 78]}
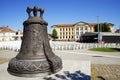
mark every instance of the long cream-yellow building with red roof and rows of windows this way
{"type": "Point", "coordinates": [72, 32]}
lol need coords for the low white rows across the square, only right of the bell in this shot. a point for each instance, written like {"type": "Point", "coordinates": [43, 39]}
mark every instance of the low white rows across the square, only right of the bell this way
{"type": "Point", "coordinates": [78, 46]}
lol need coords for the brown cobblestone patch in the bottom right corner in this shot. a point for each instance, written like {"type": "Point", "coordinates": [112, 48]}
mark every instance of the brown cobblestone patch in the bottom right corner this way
{"type": "Point", "coordinates": [106, 72]}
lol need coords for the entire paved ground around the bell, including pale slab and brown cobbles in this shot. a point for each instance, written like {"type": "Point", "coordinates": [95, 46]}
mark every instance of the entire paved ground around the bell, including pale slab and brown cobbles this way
{"type": "Point", "coordinates": [105, 66]}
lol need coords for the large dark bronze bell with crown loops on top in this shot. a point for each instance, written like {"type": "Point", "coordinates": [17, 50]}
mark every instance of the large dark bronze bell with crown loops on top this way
{"type": "Point", "coordinates": [35, 57]}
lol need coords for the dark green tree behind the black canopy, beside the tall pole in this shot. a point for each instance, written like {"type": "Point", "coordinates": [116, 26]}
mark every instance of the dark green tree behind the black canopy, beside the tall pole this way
{"type": "Point", "coordinates": [103, 27]}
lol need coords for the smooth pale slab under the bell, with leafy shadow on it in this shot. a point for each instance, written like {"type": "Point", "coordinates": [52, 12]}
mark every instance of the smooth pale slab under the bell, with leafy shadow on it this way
{"type": "Point", "coordinates": [72, 70]}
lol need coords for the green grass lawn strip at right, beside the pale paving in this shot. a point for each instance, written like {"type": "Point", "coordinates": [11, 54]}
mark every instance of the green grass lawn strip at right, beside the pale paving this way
{"type": "Point", "coordinates": [105, 49]}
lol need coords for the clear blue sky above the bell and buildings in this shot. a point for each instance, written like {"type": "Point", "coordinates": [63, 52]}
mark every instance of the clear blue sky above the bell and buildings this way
{"type": "Point", "coordinates": [13, 12]}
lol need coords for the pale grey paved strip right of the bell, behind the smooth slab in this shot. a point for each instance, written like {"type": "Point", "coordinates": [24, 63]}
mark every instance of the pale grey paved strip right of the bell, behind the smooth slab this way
{"type": "Point", "coordinates": [94, 57]}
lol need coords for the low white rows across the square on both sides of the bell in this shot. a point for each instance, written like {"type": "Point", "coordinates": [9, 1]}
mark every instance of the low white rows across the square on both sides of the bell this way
{"type": "Point", "coordinates": [15, 45]}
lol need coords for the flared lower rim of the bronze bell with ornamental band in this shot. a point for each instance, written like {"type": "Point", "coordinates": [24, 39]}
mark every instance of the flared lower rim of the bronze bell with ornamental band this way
{"type": "Point", "coordinates": [34, 68]}
